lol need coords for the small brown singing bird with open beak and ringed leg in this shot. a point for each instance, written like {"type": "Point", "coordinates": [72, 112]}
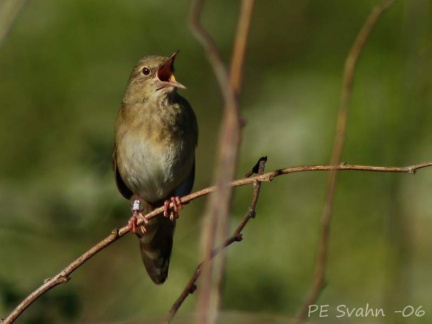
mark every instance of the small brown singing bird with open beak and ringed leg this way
{"type": "Point", "coordinates": [156, 134]}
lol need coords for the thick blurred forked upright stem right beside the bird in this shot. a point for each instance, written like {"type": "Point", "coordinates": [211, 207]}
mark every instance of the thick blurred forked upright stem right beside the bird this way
{"type": "Point", "coordinates": [215, 225]}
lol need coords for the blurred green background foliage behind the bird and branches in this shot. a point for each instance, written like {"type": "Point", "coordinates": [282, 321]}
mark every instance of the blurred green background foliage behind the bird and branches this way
{"type": "Point", "coordinates": [63, 70]}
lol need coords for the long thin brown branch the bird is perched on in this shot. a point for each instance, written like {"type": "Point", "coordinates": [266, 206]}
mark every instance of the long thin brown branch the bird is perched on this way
{"type": "Point", "coordinates": [64, 275]}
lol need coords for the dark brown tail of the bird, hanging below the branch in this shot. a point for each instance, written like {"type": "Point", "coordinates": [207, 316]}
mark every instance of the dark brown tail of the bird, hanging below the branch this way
{"type": "Point", "coordinates": [156, 245]}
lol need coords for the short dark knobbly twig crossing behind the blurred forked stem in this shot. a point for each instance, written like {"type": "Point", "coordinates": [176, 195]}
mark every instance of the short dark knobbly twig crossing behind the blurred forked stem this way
{"type": "Point", "coordinates": [235, 237]}
